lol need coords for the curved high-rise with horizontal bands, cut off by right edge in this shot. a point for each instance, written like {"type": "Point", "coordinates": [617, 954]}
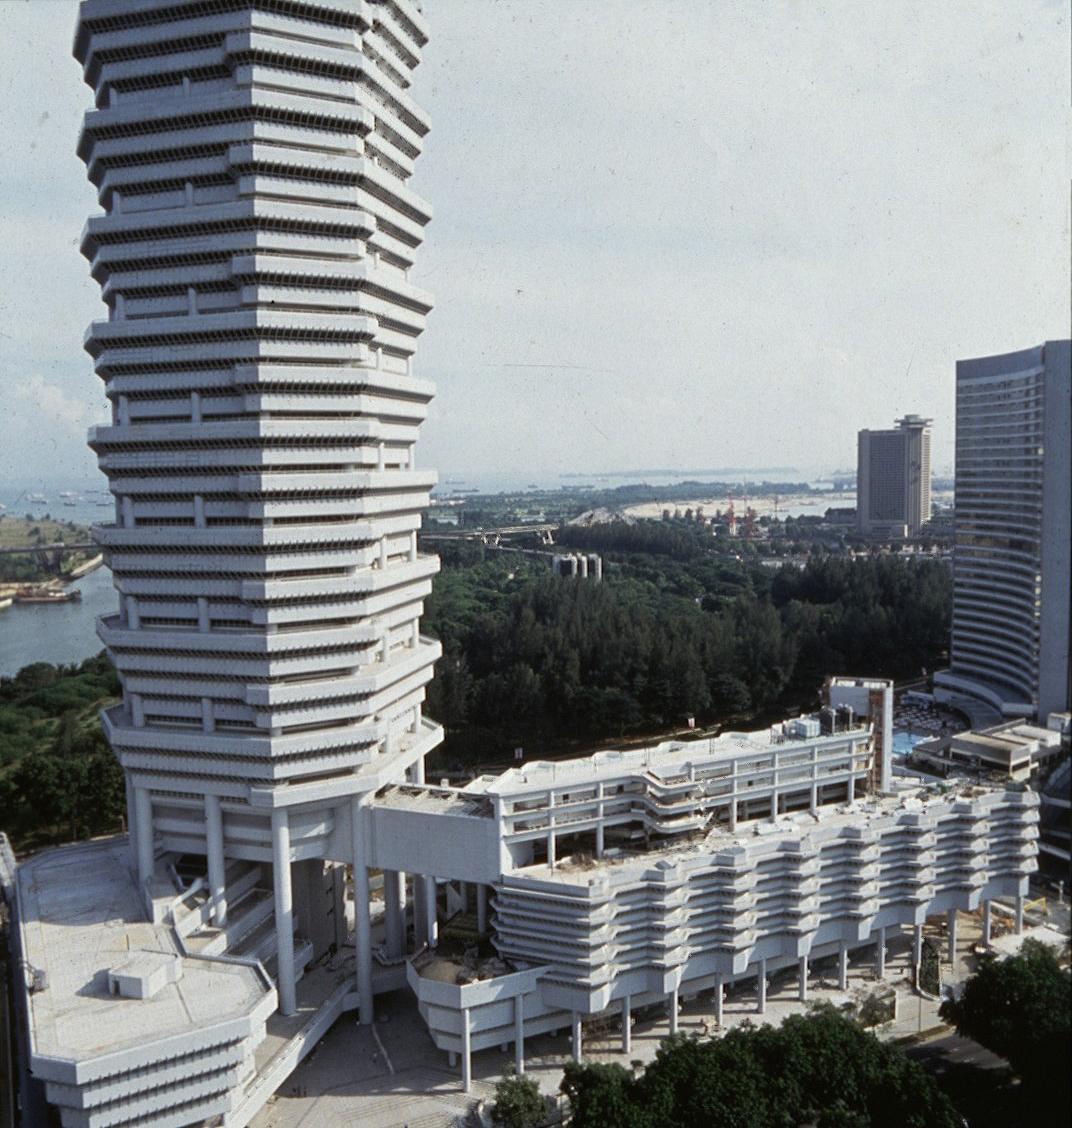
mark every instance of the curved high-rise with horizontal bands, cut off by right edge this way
{"type": "Point", "coordinates": [1013, 558]}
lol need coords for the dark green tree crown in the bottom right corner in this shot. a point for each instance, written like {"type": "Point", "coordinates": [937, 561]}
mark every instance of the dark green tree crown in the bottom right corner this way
{"type": "Point", "coordinates": [1021, 1009]}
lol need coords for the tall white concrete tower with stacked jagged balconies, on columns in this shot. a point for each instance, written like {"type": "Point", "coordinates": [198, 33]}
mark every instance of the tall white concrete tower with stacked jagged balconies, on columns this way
{"type": "Point", "coordinates": [252, 160]}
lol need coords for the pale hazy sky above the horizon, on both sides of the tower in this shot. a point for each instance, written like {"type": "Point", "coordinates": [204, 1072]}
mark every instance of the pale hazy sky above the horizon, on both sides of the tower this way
{"type": "Point", "coordinates": [667, 234]}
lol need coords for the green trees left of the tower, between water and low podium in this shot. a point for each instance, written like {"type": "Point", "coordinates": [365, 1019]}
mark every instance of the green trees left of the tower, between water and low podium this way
{"type": "Point", "coordinates": [59, 778]}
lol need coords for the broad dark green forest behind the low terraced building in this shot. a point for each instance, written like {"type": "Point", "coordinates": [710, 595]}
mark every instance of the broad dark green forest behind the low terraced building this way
{"type": "Point", "coordinates": [534, 660]}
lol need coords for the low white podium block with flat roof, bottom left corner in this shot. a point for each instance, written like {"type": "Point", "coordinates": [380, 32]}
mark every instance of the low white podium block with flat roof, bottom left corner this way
{"type": "Point", "coordinates": [125, 1028]}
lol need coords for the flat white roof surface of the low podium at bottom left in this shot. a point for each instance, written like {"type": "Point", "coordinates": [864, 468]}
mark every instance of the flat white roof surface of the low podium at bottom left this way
{"type": "Point", "coordinates": [82, 916]}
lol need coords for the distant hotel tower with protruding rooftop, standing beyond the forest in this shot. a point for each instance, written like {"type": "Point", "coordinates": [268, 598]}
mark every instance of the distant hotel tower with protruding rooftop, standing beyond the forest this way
{"type": "Point", "coordinates": [894, 479]}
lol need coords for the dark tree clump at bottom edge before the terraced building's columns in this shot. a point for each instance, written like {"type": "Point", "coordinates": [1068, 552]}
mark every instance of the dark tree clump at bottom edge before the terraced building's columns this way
{"type": "Point", "coordinates": [819, 1069]}
